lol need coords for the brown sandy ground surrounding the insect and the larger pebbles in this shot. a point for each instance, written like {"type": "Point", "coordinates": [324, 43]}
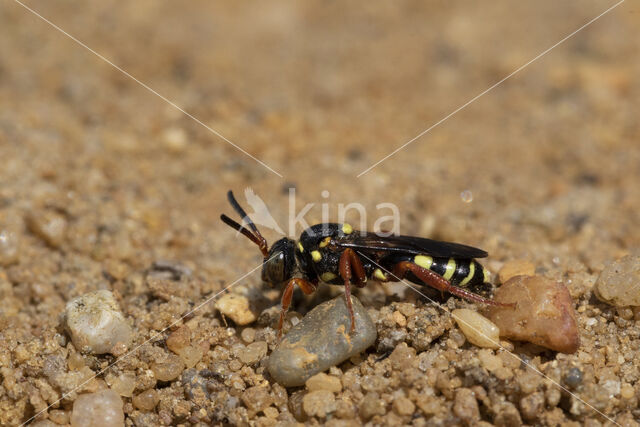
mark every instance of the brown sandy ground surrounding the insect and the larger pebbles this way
{"type": "Point", "coordinates": [544, 167]}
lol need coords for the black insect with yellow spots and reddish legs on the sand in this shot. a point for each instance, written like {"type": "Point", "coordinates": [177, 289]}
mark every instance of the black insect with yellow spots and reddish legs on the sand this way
{"type": "Point", "coordinates": [339, 255]}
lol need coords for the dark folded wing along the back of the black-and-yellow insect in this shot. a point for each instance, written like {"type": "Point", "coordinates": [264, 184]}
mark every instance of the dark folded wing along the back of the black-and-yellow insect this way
{"type": "Point", "coordinates": [412, 245]}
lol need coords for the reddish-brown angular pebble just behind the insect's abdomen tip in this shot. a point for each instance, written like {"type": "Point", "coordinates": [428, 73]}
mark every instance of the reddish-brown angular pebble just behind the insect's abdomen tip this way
{"type": "Point", "coordinates": [544, 313]}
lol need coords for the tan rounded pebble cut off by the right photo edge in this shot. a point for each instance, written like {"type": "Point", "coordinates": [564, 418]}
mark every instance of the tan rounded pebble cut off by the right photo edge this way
{"type": "Point", "coordinates": [618, 284]}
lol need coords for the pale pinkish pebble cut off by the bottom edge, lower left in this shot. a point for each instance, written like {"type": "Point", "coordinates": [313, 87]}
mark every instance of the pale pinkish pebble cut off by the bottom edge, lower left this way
{"type": "Point", "coordinates": [100, 409]}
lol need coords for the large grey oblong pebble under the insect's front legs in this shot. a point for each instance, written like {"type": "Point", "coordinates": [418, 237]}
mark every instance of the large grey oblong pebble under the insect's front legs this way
{"type": "Point", "coordinates": [321, 340]}
